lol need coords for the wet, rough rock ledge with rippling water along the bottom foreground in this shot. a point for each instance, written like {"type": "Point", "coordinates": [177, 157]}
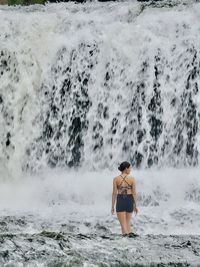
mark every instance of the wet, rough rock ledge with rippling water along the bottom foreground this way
{"type": "Point", "coordinates": [50, 247]}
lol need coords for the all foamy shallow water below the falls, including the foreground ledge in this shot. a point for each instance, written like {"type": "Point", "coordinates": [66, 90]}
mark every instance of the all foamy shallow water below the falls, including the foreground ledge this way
{"type": "Point", "coordinates": [63, 219]}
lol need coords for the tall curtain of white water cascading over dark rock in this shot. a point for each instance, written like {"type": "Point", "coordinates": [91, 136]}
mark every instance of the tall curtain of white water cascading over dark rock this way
{"type": "Point", "coordinates": [93, 84]}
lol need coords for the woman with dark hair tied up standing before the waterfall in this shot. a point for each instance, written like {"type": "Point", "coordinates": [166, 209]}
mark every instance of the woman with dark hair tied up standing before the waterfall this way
{"type": "Point", "coordinates": [125, 193]}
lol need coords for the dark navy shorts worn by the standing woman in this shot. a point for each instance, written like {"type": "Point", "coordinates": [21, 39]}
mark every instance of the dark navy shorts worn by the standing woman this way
{"type": "Point", "coordinates": [124, 203]}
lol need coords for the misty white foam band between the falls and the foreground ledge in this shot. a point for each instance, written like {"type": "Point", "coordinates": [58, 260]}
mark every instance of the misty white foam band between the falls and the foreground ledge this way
{"type": "Point", "coordinates": [60, 196]}
